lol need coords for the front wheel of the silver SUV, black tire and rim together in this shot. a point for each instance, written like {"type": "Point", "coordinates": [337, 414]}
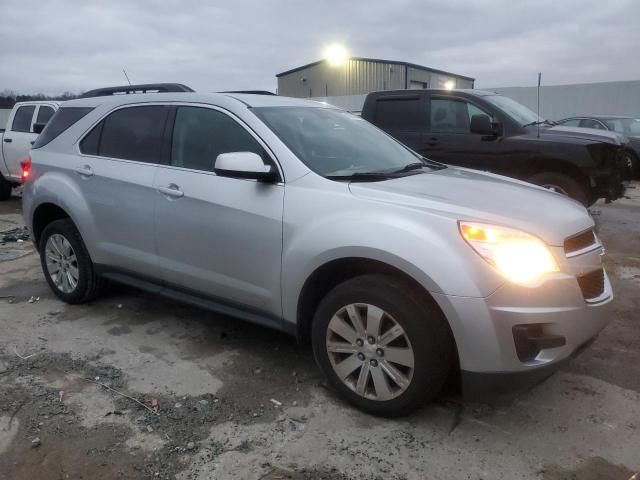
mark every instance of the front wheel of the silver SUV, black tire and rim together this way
{"type": "Point", "coordinates": [384, 347]}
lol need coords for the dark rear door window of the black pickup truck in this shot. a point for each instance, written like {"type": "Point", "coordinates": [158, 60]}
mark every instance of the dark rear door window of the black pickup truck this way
{"type": "Point", "coordinates": [399, 113]}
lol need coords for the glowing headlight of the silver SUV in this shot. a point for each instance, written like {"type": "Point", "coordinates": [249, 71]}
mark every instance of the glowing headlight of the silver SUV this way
{"type": "Point", "coordinates": [518, 256]}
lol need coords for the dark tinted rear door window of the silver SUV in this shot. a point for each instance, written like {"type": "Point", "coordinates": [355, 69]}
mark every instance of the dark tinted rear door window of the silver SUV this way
{"type": "Point", "coordinates": [132, 133]}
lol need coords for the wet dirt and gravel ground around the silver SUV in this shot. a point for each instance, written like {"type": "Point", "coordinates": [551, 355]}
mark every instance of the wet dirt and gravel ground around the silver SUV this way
{"type": "Point", "coordinates": [210, 397]}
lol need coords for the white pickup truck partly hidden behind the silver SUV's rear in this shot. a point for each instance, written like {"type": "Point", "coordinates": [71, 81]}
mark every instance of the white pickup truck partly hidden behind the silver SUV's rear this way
{"type": "Point", "coordinates": [26, 121]}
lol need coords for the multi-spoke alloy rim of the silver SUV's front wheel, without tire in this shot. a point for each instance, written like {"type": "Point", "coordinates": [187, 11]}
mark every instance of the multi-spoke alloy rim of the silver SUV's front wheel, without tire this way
{"type": "Point", "coordinates": [370, 351]}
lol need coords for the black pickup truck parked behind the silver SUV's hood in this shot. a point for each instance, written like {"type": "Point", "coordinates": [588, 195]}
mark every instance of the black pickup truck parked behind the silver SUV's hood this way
{"type": "Point", "coordinates": [486, 131]}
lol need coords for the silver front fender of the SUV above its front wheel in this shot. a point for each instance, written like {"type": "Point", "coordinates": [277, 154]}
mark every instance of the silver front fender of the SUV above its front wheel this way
{"type": "Point", "coordinates": [425, 246]}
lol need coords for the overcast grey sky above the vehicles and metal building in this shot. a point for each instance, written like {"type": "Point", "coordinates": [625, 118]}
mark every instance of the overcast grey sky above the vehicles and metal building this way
{"type": "Point", "coordinates": [76, 45]}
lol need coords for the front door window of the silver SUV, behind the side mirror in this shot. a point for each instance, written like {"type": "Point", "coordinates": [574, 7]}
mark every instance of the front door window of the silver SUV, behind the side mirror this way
{"type": "Point", "coordinates": [201, 134]}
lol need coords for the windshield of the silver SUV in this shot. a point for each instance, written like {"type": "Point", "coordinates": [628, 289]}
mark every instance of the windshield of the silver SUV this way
{"type": "Point", "coordinates": [334, 143]}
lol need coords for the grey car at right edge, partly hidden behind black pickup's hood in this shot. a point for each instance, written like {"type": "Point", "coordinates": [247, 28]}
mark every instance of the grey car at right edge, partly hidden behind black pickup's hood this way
{"type": "Point", "coordinates": [627, 126]}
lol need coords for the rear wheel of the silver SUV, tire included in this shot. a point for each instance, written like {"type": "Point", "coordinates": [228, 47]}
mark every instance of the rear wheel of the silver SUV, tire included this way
{"type": "Point", "coordinates": [66, 264]}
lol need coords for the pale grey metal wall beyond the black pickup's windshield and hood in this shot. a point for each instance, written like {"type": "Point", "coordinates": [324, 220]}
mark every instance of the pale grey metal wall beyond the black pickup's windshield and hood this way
{"type": "Point", "coordinates": [561, 101]}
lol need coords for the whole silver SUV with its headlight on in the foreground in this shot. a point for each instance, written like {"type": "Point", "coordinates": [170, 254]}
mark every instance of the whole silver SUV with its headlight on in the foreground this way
{"type": "Point", "coordinates": [301, 217]}
